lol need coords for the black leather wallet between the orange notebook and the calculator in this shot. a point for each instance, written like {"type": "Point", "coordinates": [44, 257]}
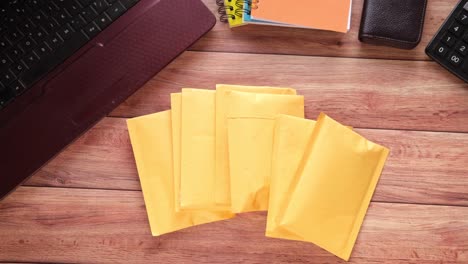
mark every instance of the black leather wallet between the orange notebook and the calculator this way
{"type": "Point", "coordinates": [395, 23]}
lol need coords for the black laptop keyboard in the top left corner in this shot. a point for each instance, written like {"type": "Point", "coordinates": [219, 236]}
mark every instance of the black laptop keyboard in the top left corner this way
{"type": "Point", "coordinates": [38, 35]}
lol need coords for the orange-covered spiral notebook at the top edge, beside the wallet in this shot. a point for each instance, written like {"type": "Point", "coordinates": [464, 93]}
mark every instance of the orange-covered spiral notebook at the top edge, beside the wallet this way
{"type": "Point", "coordinates": [334, 15]}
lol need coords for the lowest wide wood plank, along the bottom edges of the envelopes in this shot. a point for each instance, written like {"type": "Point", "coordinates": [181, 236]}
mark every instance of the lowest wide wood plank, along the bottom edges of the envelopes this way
{"type": "Point", "coordinates": [84, 226]}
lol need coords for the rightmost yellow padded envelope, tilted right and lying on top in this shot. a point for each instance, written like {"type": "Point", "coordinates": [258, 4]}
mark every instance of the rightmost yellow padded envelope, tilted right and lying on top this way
{"type": "Point", "coordinates": [333, 187]}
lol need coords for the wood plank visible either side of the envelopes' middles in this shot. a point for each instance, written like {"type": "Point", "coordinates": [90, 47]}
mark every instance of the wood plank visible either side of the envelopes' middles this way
{"type": "Point", "coordinates": [423, 167]}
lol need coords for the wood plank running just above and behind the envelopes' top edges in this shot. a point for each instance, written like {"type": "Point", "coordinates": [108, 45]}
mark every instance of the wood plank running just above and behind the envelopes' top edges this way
{"type": "Point", "coordinates": [413, 95]}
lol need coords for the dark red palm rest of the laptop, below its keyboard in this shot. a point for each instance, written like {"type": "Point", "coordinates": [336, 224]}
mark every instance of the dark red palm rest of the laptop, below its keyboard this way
{"type": "Point", "coordinates": [91, 83]}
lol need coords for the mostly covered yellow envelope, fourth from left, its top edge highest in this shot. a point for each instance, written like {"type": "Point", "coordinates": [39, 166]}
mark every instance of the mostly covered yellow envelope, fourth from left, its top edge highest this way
{"type": "Point", "coordinates": [222, 190]}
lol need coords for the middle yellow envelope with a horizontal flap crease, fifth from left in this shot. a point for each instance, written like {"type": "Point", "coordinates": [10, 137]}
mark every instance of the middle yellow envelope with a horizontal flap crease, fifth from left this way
{"type": "Point", "coordinates": [251, 122]}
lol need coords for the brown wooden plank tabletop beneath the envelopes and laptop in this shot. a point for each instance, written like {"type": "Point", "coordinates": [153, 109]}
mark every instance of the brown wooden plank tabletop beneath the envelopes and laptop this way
{"type": "Point", "coordinates": [86, 205]}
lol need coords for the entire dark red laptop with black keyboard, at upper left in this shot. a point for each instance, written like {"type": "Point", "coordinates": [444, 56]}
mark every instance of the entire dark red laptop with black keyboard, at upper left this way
{"type": "Point", "coordinates": [65, 64]}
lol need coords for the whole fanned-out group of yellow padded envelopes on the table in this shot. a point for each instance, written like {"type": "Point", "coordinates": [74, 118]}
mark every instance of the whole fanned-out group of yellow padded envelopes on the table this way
{"type": "Point", "coordinates": [239, 149]}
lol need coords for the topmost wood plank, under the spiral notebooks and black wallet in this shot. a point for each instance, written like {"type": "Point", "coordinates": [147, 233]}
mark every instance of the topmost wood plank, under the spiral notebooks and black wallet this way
{"type": "Point", "coordinates": [279, 40]}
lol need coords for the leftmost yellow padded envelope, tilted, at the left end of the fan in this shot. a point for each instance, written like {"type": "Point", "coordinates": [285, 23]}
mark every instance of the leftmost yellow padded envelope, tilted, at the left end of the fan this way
{"type": "Point", "coordinates": [151, 139]}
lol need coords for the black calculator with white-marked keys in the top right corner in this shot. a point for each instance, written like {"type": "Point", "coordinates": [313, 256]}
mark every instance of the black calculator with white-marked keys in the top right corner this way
{"type": "Point", "coordinates": [449, 47]}
